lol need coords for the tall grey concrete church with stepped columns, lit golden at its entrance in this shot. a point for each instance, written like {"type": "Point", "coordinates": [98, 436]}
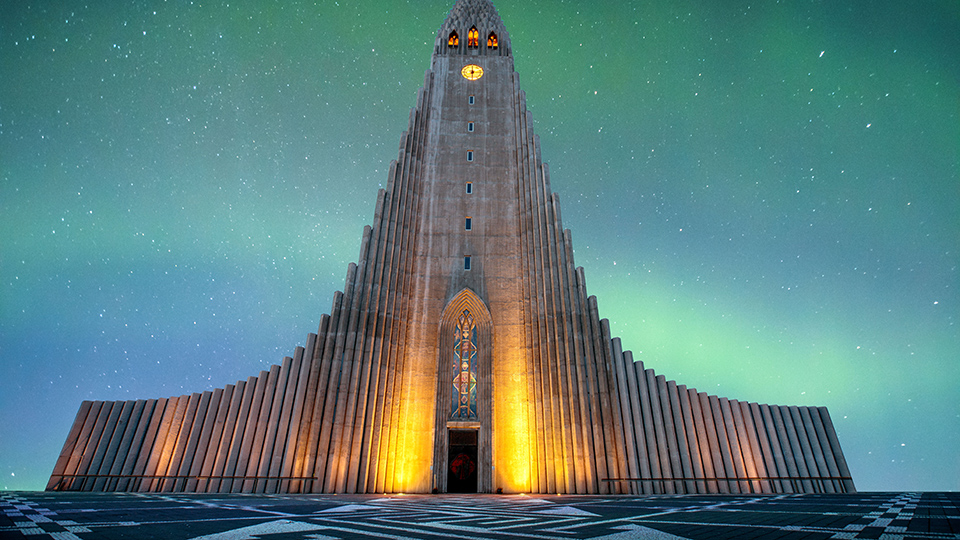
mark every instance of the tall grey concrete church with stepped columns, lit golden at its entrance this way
{"type": "Point", "coordinates": [463, 355]}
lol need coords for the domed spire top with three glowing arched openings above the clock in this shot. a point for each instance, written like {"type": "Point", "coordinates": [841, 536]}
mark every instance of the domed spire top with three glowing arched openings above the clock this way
{"type": "Point", "coordinates": [474, 28]}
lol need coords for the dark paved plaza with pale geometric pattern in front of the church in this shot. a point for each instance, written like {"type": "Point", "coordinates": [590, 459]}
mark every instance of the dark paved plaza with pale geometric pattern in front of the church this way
{"type": "Point", "coordinates": [884, 516]}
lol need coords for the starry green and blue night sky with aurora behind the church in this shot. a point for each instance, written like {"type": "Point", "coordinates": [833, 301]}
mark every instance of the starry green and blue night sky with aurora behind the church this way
{"type": "Point", "coordinates": [765, 197]}
